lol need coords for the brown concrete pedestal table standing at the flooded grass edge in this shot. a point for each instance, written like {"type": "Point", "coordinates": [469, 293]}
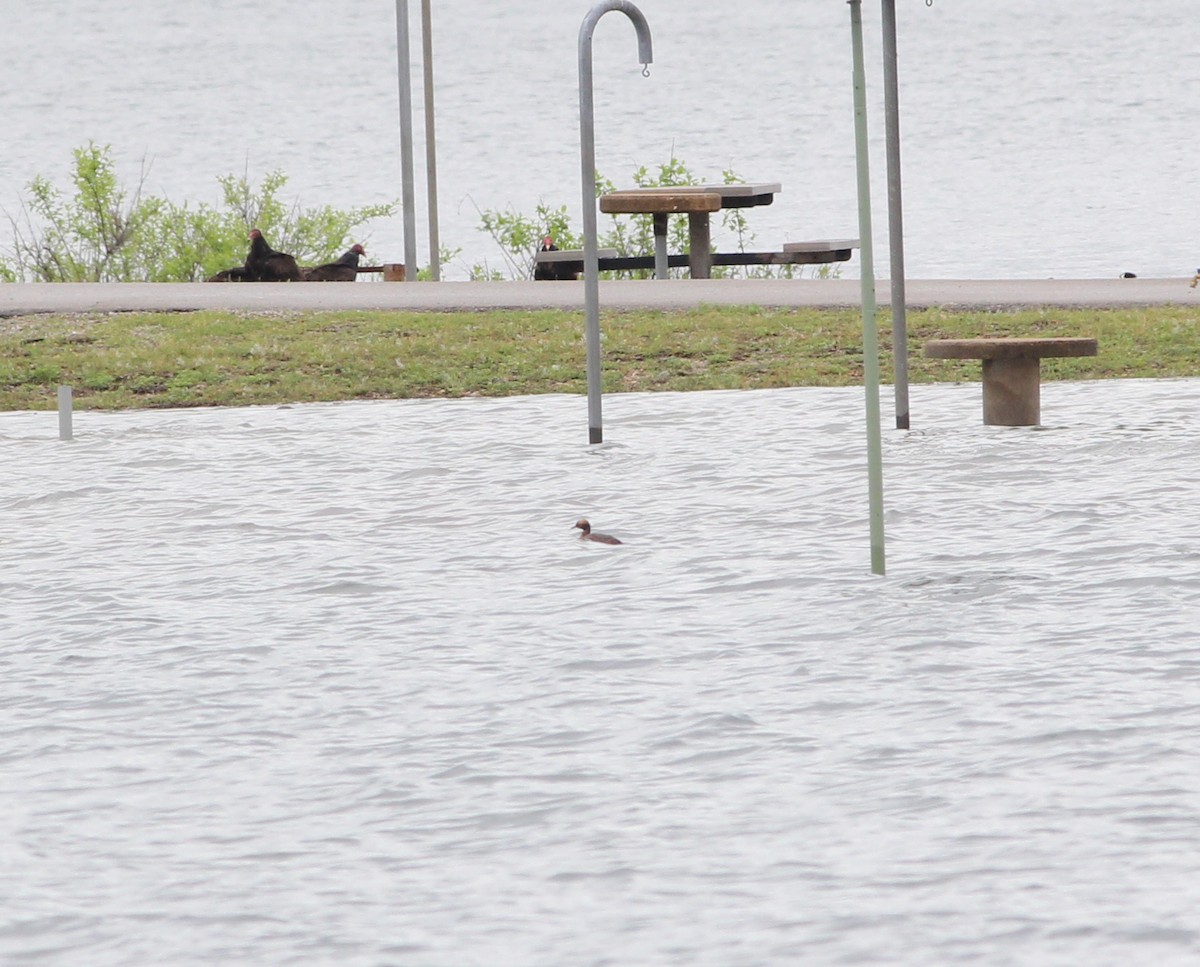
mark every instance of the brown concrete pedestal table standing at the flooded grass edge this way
{"type": "Point", "coordinates": [1012, 373]}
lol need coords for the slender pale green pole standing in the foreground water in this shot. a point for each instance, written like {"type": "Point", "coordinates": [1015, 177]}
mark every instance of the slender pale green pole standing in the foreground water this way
{"type": "Point", "coordinates": [871, 337]}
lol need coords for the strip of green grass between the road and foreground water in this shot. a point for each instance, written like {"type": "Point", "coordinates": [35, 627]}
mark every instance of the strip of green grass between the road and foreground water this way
{"type": "Point", "coordinates": [139, 361]}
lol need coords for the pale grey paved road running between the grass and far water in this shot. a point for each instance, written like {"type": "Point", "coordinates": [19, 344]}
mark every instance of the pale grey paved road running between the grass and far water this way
{"type": "Point", "coordinates": [22, 299]}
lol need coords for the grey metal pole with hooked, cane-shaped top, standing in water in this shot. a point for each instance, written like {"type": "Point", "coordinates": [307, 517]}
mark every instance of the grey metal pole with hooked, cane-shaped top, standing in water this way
{"type": "Point", "coordinates": [589, 177]}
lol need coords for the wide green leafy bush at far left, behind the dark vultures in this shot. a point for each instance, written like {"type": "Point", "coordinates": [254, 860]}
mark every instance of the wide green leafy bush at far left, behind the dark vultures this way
{"type": "Point", "coordinates": [103, 232]}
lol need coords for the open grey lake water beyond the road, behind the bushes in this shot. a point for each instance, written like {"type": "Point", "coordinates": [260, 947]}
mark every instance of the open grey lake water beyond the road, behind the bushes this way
{"type": "Point", "coordinates": [1040, 140]}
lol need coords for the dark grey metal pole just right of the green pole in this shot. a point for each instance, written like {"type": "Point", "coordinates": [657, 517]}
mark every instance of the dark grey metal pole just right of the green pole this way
{"type": "Point", "coordinates": [896, 214]}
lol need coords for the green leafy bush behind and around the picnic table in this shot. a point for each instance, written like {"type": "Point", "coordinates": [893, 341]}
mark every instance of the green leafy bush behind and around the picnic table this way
{"type": "Point", "coordinates": [520, 236]}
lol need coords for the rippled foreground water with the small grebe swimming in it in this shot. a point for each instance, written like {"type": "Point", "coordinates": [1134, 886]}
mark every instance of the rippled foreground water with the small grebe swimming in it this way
{"type": "Point", "coordinates": [337, 684]}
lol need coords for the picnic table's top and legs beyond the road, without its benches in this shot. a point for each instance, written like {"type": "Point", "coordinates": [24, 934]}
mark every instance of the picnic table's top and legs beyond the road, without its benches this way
{"type": "Point", "coordinates": [699, 202]}
